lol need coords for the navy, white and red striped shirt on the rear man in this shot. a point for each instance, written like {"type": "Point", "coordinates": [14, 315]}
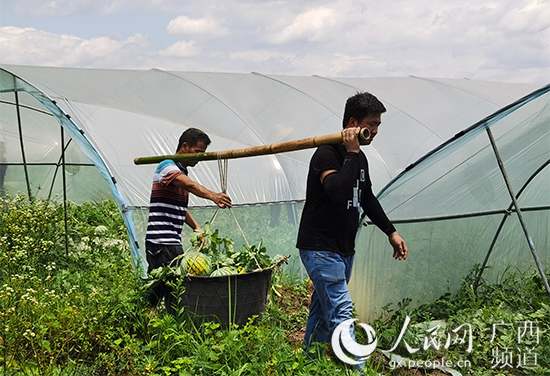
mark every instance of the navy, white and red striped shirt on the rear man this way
{"type": "Point", "coordinates": [168, 205]}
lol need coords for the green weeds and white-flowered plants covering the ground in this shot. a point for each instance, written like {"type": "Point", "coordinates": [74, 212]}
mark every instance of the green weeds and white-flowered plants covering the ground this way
{"type": "Point", "coordinates": [81, 311]}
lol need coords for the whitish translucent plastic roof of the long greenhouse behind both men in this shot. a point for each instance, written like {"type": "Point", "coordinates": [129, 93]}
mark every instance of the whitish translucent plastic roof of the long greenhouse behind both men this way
{"type": "Point", "coordinates": [126, 114]}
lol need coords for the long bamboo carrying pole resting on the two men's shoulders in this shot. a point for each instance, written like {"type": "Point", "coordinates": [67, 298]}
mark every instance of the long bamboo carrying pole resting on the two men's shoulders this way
{"type": "Point", "coordinates": [306, 143]}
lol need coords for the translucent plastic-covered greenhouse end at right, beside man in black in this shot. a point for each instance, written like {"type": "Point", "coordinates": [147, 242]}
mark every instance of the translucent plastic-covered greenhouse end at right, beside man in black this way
{"type": "Point", "coordinates": [455, 210]}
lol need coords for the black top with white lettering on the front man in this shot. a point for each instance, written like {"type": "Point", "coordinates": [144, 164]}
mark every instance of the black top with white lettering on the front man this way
{"type": "Point", "coordinates": [330, 222]}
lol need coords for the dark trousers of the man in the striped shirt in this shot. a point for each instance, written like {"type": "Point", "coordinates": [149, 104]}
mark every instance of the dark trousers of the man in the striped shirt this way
{"type": "Point", "coordinates": [160, 255]}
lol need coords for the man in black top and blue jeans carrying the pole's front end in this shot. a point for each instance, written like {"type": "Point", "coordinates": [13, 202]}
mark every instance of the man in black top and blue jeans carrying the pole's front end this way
{"type": "Point", "coordinates": [338, 187]}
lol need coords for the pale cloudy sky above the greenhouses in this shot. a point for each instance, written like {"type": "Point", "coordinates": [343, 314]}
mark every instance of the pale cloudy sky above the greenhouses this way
{"type": "Point", "coordinates": [499, 40]}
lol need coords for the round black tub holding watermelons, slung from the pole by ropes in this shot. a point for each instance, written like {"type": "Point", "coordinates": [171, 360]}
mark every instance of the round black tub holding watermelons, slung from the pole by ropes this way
{"type": "Point", "coordinates": [232, 299]}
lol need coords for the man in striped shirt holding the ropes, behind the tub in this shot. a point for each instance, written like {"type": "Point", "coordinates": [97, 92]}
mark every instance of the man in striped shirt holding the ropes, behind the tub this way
{"type": "Point", "coordinates": [168, 206]}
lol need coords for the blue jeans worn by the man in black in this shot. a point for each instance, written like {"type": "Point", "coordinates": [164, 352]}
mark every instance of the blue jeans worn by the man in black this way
{"type": "Point", "coordinates": [331, 301]}
